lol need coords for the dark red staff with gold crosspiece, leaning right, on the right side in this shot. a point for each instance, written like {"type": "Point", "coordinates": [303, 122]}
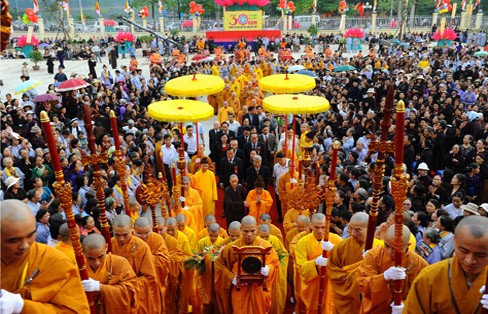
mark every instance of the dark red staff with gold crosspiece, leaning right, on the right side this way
{"type": "Point", "coordinates": [383, 147]}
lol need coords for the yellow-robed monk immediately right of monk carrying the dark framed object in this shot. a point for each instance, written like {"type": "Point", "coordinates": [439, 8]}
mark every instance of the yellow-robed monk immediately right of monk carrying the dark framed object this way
{"type": "Point", "coordinates": [279, 285]}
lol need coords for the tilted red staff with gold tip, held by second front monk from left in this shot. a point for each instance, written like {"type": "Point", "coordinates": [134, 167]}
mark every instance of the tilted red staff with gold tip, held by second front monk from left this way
{"type": "Point", "coordinates": [63, 191]}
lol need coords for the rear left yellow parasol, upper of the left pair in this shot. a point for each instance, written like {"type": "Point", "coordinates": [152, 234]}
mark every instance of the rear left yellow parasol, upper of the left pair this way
{"type": "Point", "coordinates": [194, 85]}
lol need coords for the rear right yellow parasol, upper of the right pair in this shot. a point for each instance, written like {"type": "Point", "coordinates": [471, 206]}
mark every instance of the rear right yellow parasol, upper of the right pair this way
{"type": "Point", "coordinates": [287, 84]}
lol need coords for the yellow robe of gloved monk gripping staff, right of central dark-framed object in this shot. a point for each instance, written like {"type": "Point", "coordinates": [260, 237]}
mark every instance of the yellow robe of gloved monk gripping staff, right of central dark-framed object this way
{"type": "Point", "coordinates": [307, 250]}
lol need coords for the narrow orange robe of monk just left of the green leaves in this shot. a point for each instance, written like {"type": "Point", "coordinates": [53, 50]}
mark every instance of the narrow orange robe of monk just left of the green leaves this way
{"type": "Point", "coordinates": [176, 257]}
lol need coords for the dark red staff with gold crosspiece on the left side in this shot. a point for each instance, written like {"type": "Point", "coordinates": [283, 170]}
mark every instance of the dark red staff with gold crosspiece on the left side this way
{"type": "Point", "coordinates": [94, 159]}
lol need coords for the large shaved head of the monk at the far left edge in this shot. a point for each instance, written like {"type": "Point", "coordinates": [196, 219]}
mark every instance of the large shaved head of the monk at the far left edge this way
{"type": "Point", "coordinates": [18, 230]}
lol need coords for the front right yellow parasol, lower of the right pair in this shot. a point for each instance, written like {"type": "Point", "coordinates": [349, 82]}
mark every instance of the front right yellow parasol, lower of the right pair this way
{"type": "Point", "coordinates": [295, 104]}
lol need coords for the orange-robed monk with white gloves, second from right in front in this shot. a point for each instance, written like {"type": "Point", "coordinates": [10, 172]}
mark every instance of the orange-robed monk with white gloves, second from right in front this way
{"type": "Point", "coordinates": [378, 271]}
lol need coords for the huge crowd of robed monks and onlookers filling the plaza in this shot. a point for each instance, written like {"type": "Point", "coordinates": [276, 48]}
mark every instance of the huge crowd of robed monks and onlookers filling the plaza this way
{"type": "Point", "coordinates": [241, 170]}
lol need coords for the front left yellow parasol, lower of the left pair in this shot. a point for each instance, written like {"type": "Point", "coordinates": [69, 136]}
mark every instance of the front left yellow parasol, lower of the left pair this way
{"type": "Point", "coordinates": [180, 110]}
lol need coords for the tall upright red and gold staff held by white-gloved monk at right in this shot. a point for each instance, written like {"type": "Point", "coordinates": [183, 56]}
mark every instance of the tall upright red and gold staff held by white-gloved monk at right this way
{"type": "Point", "coordinates": [399, 187]}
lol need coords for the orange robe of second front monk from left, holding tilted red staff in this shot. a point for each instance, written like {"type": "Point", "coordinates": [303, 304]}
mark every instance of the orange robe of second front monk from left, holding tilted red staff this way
{"type": "Point", "coordinates": [118, 281]}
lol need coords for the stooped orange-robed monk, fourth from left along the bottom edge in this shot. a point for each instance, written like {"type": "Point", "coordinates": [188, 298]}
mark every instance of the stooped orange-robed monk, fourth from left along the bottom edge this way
{"type": "Point", "coordinates": [143, 231]}
